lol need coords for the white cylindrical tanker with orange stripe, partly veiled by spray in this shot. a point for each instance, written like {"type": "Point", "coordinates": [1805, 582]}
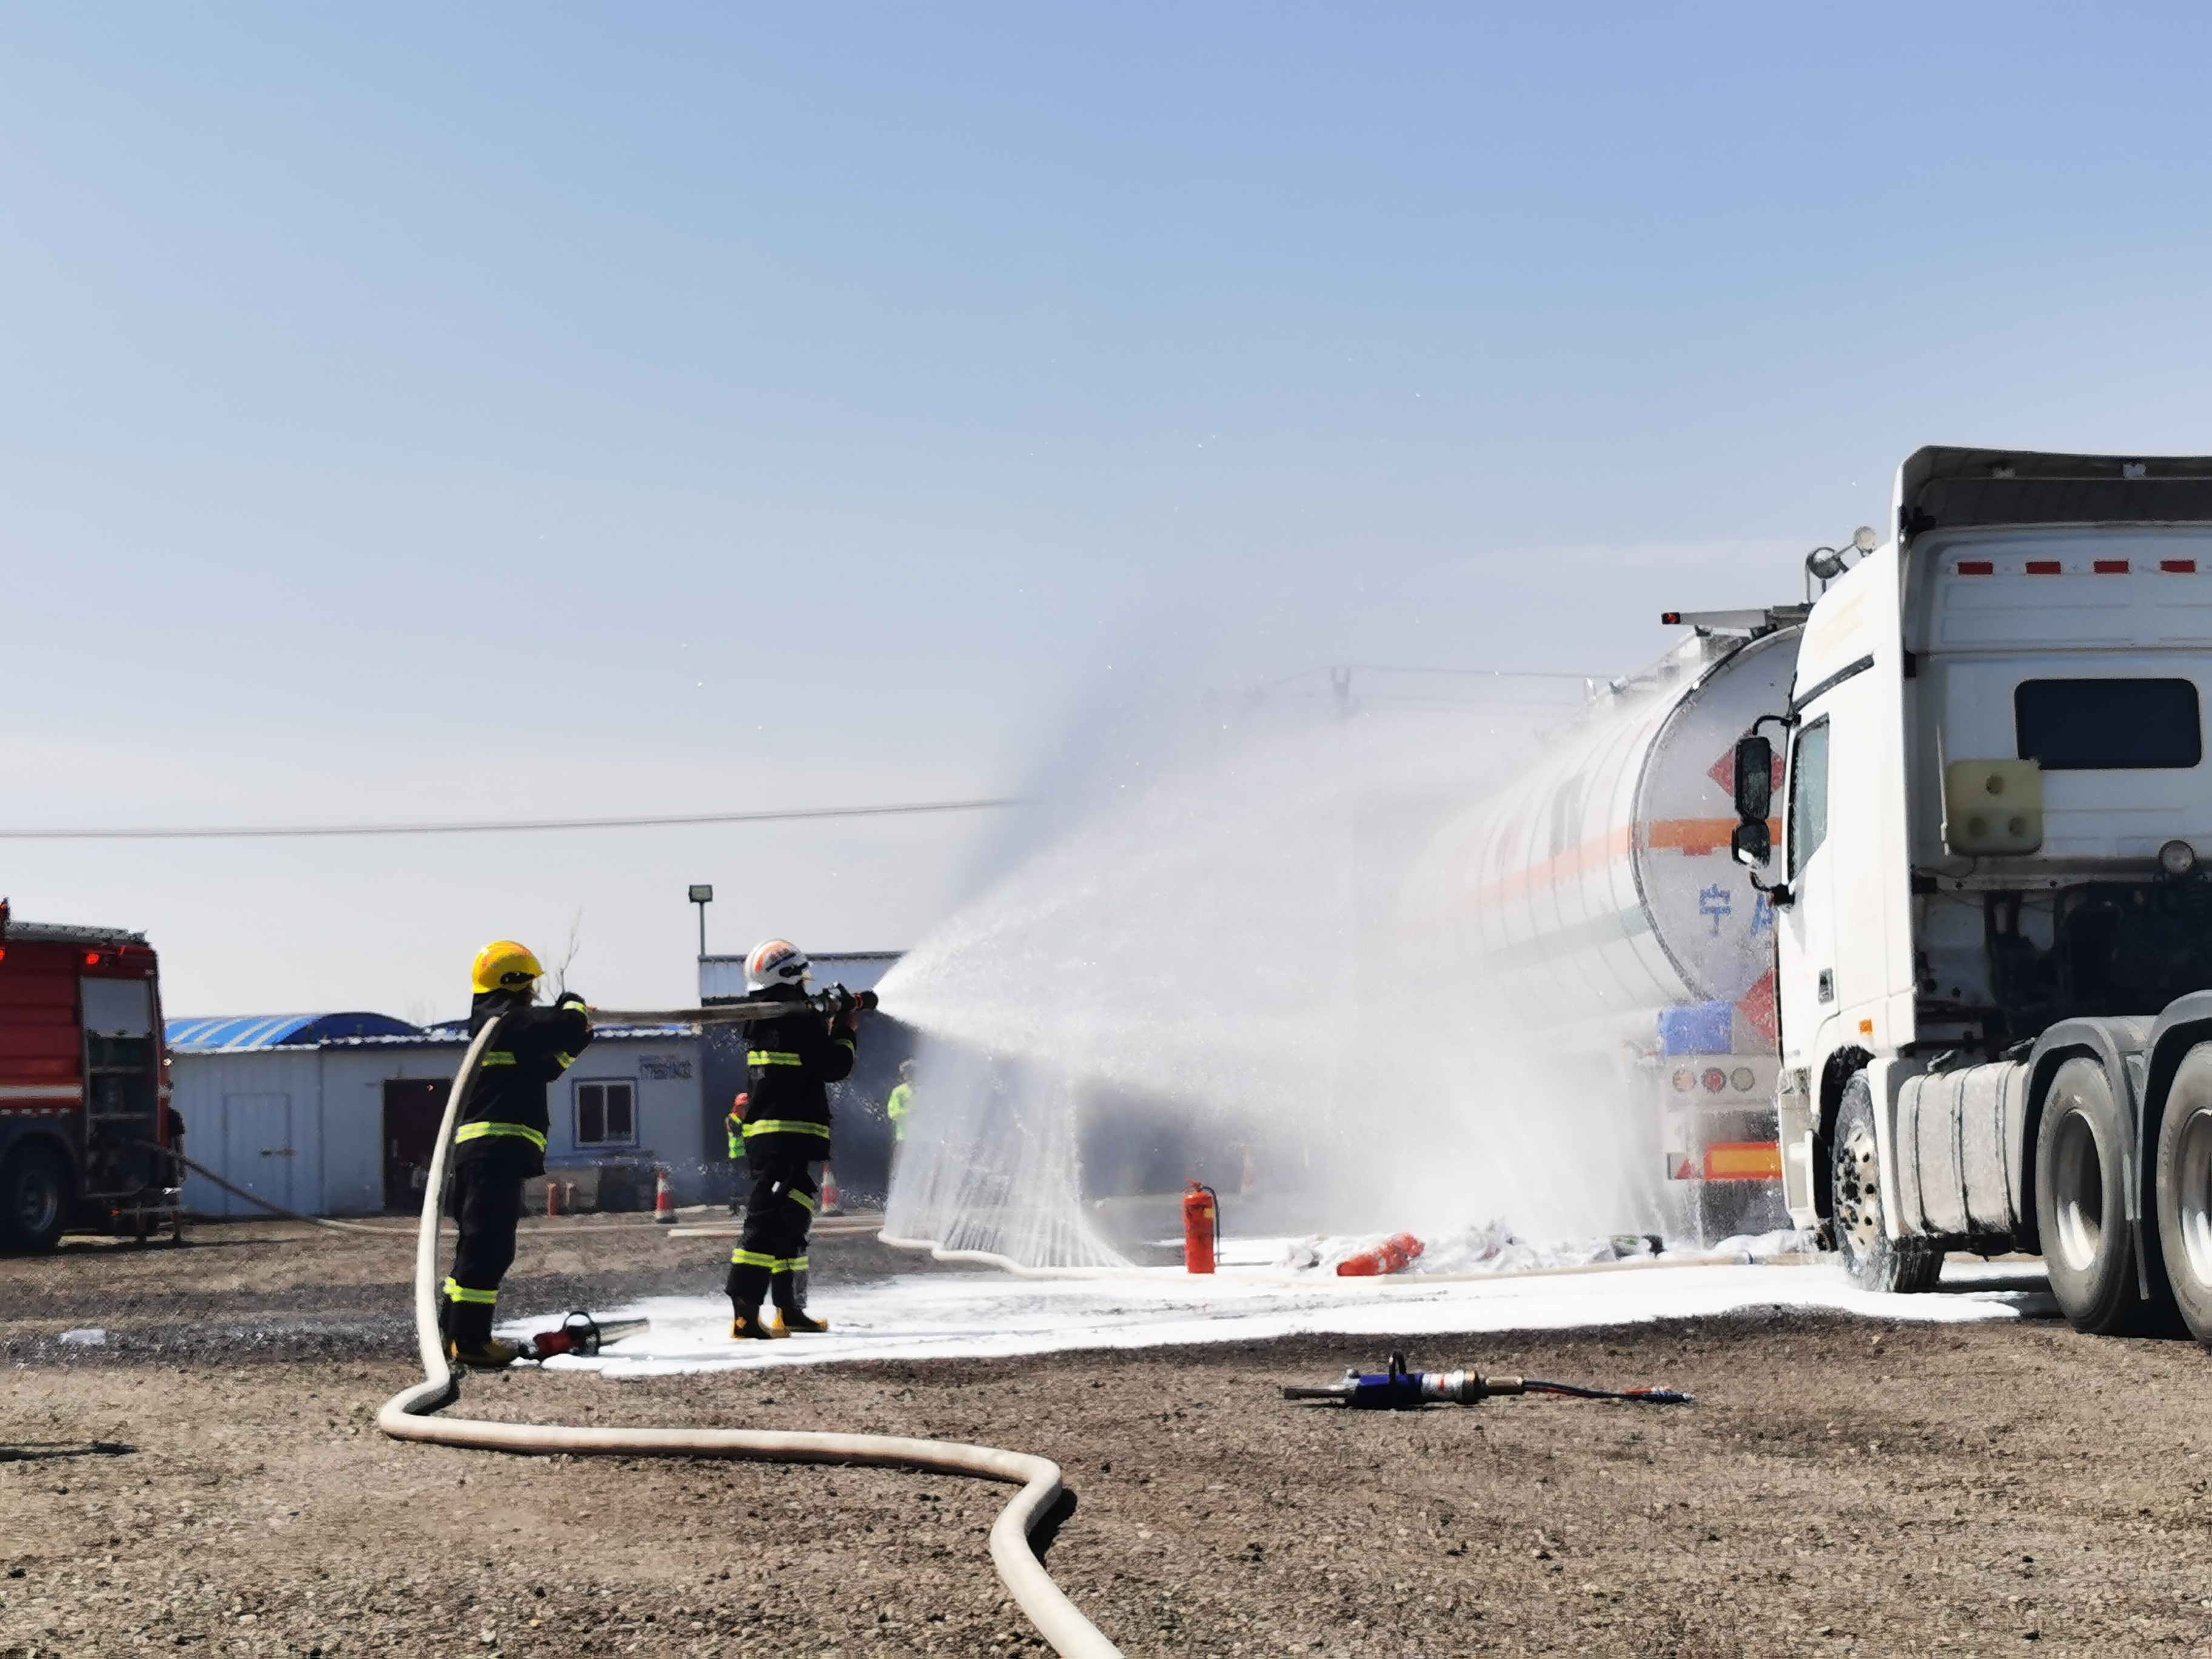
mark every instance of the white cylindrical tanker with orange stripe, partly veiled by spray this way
{"type": "Point", "coordinates": [1594, 904]}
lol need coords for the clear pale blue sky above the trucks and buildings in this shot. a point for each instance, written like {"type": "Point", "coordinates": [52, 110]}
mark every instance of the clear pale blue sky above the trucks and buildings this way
{"type": "Point", "coordinates": [565, 410]}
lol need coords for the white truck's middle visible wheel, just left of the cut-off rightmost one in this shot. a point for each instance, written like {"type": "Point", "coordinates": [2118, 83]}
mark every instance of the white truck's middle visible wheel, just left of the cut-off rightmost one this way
{"type": "Point", "coordinates": [2083, 1204]}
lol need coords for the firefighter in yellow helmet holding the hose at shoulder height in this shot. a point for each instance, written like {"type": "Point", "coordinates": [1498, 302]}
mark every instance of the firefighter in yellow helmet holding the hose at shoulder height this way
{"type": "Point", "coordinates": [503, 1140]}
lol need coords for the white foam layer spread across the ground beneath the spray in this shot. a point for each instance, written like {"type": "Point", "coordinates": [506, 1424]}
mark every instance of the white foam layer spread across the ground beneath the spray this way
{"type": "Point", "coordinates": [985, 1315]}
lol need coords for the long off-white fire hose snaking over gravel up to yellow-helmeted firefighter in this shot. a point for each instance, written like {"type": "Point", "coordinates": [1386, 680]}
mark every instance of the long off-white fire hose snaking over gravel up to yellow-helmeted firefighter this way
{"type": "Point", "coordinates": [408, 1417]}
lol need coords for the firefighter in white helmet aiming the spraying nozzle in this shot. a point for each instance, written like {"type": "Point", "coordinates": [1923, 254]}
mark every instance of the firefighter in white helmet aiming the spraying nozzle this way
{"type": "Point", "coordinates": [789, 1072]}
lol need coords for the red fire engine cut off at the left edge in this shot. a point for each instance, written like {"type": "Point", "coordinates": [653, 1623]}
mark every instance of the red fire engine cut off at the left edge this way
{"type": "Point", "coordinates": [83, 1085]}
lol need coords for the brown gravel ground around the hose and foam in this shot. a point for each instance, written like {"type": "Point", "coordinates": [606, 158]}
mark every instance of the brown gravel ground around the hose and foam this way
{"type": "Point", "coordinates": [1841, 1488]}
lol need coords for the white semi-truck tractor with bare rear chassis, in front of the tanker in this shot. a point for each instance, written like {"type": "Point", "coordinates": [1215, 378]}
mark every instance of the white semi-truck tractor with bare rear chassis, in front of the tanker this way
{"type": "Point", "coordinates": [1994, 926]}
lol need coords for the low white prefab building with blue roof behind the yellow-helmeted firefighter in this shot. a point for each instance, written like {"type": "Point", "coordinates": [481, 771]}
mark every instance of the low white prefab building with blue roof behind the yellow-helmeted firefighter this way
{"type": "Point", "coordinates": [335, 1114]}
